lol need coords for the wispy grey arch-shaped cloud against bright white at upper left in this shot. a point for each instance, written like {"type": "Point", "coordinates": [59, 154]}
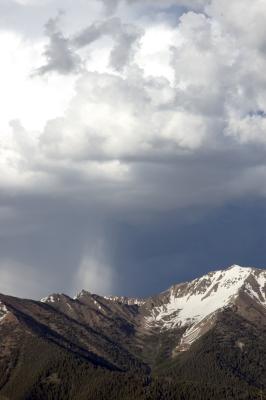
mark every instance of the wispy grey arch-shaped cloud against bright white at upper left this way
{"type": "Point", "coordinates": [62, 53]}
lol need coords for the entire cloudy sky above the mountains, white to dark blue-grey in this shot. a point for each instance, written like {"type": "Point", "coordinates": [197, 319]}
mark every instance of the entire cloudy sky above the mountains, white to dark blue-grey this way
{"type": "Point", "coordinates": [132, 143]}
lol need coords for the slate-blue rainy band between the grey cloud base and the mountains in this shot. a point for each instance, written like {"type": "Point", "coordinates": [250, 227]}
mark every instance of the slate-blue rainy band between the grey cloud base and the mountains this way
{"type": "Point", "coordinates": [146, 252]}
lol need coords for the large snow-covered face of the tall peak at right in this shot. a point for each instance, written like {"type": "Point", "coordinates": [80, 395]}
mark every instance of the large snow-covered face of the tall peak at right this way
{"type": "Point", "coordinates": [193, 306]}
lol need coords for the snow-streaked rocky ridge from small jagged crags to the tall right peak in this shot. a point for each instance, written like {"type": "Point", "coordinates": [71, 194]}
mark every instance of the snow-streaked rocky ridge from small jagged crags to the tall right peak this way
{"type": "Point", "coordinates": [234, 277]}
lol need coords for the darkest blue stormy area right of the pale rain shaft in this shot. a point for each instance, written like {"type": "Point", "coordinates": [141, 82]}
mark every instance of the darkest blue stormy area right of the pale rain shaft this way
{"type": "Point", "coordinates": [180, 246]}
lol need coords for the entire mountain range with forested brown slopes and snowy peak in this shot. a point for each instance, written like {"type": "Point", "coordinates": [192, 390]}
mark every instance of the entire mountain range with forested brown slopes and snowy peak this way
{"type": "Point", "coordinates": [204, 339]}
